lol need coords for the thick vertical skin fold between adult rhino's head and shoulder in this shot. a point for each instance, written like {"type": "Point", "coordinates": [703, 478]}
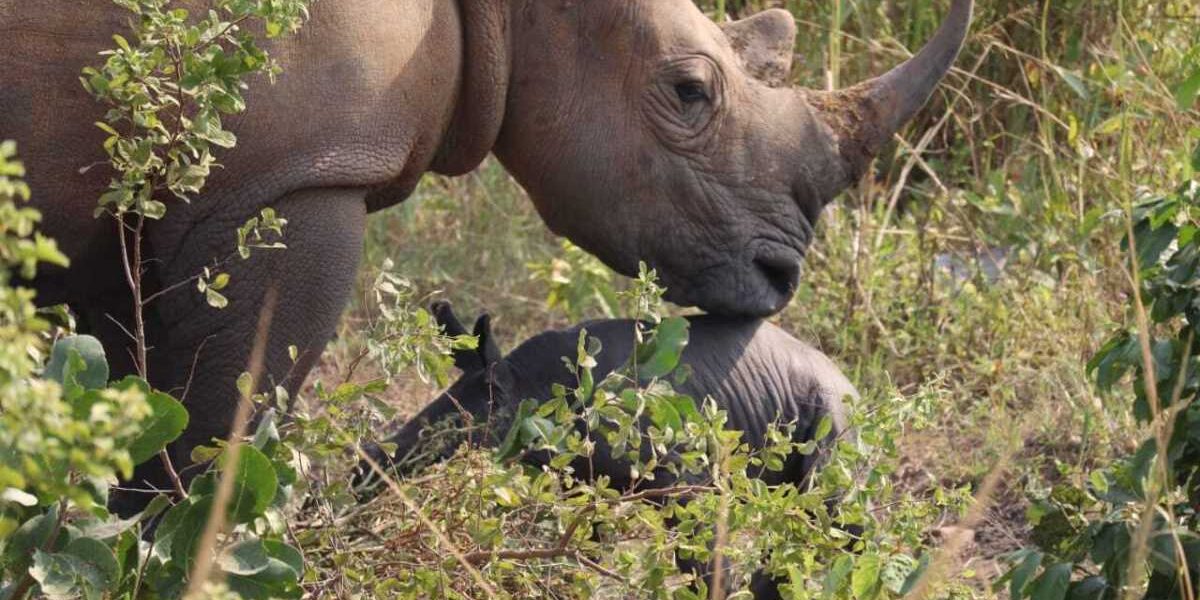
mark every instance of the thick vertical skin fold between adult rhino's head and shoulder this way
{"type": "Point", "coordinates": [483, 88]}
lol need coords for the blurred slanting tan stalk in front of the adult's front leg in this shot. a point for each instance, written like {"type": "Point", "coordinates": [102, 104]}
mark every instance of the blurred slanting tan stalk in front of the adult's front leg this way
{"type": "Point", "coordinates": [217, 523]}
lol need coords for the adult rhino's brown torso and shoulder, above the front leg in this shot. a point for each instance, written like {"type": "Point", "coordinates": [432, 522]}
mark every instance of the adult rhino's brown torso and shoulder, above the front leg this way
{"type": "Point", "coordinates": [363, 100]}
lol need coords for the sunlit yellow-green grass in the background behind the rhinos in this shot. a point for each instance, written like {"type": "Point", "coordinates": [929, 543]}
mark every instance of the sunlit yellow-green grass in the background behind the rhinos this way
{"type": "Point", "coordinates": [981, 268]}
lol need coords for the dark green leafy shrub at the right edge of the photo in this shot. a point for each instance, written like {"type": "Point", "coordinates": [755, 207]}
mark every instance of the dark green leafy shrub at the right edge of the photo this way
{"type": "Point", "coordinates": [1133, 529]}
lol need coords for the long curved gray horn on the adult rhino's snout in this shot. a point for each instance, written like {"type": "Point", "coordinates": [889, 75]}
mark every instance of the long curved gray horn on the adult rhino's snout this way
{"type": "Point", "coordinates": [867, 116]}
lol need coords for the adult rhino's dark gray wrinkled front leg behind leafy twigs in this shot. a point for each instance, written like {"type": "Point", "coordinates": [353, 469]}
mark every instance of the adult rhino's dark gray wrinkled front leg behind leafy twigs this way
{"type": "Point", "coordinates": [299, 293]}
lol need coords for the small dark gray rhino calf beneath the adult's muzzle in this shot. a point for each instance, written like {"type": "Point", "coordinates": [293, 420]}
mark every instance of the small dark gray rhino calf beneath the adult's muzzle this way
{"type": "Point", "coordinates": [758, 373]}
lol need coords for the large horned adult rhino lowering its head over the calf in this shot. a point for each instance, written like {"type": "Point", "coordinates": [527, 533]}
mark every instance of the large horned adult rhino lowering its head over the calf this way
{"type": "Point", "coordinates": [640, 129]}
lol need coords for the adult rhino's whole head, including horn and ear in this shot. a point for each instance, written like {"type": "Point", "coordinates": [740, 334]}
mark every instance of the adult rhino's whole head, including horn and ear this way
{"type": "Point", "coordinates": [644, 131]}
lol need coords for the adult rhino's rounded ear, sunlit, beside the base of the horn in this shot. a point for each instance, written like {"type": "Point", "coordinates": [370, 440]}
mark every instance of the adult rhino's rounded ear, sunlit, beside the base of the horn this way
{"type": "Point", "coordinates": [766, 44]}
